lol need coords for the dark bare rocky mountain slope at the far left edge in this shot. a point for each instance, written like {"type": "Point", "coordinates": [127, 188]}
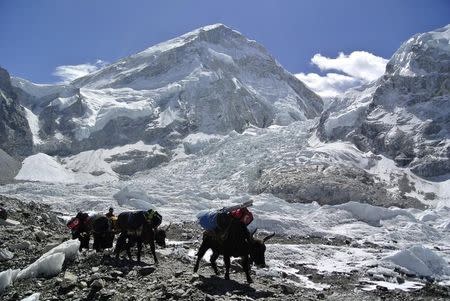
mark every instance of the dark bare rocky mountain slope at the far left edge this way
{"type": "Point", "coordinates": [15, 135]}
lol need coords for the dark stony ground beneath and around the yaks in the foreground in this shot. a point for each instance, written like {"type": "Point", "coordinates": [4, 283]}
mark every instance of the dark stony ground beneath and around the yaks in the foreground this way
{"type": "Point", "coordinates": [95, 276]}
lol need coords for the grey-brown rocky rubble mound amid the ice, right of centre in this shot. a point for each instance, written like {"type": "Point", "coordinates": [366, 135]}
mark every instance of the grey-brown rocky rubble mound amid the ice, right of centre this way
{"type": "Point", "coordinates": [330, 185]}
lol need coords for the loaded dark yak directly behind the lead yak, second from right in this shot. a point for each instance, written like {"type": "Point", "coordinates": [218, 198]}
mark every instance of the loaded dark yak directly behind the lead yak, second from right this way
{"type": "Point", "coordinates": [139, 227]}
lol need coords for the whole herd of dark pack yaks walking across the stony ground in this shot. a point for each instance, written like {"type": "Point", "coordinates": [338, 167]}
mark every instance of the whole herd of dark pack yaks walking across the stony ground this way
{"type": "Point", "coordinates": [139, 227]}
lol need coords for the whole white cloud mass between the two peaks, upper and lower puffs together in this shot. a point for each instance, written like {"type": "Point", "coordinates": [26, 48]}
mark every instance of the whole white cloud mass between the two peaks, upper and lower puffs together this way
{"type": "Point", "coordinates": [356, 68]}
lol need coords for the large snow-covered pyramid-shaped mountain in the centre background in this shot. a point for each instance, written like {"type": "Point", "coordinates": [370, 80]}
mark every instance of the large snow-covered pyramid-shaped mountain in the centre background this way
{"type": "Point", "coordinates": [211, 80]}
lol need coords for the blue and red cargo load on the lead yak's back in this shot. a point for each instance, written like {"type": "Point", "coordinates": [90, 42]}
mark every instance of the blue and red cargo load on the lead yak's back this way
{"type": "Point", "coordinates": [211, 219]}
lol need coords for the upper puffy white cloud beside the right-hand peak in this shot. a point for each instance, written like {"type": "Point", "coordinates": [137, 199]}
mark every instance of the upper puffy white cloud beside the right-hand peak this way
{"type": "Point", "coordinates": [359, 64]}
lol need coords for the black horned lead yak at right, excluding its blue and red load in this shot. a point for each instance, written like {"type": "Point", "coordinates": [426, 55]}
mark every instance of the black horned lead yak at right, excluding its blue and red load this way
{"type": "Point", "coordinates": [234, 241]}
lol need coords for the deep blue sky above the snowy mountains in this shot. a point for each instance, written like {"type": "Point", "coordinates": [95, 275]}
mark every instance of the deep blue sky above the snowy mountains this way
{"type": "Point", "coordinates": [39, 36]}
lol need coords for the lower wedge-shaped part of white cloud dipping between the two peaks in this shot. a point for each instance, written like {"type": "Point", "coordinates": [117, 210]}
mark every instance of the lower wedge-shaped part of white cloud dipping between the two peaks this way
{"type": "Point", "coordinates": [330, 85]}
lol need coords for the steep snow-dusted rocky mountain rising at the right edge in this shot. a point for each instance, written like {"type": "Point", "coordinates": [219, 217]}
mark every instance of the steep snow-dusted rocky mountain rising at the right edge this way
{"type": "Point", "coordinates": [406, 113]}
